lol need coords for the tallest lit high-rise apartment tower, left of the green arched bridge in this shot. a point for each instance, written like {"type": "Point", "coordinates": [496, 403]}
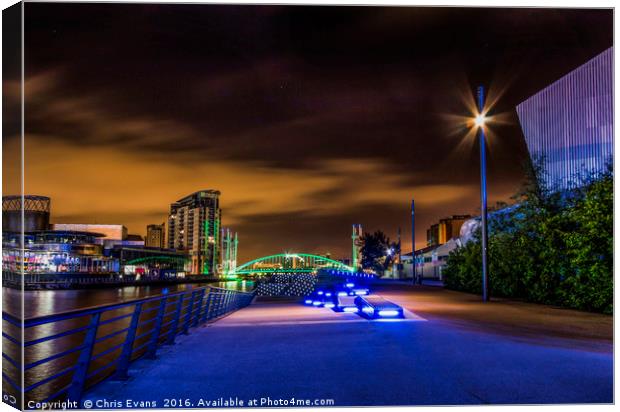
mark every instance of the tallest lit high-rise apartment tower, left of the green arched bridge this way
{"type": "Point", "coordinates": [194, 227]}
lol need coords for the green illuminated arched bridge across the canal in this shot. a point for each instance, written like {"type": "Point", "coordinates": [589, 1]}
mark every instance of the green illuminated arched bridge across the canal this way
{"type": "Point", "coordinates": [289, 263]}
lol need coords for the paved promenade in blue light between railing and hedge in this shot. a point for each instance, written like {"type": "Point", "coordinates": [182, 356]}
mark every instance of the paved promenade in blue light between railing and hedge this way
{"type": "Point", "coordinates": [276, 350]}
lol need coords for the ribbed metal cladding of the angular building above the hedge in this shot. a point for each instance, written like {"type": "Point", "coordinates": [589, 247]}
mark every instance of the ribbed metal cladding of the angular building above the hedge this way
{"type": "Point", "coordinates": [569, 124]}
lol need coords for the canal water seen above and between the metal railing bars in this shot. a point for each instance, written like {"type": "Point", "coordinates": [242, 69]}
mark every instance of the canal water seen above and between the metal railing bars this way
{"type": "Point", "coordinates": [46, 302]}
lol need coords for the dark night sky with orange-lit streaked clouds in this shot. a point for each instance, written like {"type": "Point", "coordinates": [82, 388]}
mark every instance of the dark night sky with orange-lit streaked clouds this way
{"type": "Point", "coordinates": [307, 119]}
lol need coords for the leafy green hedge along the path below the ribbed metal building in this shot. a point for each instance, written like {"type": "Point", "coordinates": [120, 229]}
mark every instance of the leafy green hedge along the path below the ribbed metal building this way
{"type": "Point", "coordinates": [549, 249]}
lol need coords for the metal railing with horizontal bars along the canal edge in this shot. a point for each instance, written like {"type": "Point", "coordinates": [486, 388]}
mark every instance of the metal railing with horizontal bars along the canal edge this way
{"type": "Point", "coordinates": [68, 352]}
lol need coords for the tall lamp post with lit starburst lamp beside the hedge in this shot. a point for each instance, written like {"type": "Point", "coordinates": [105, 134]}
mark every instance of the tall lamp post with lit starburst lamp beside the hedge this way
{"type": "Point", "coordinates": [479, 121]}
